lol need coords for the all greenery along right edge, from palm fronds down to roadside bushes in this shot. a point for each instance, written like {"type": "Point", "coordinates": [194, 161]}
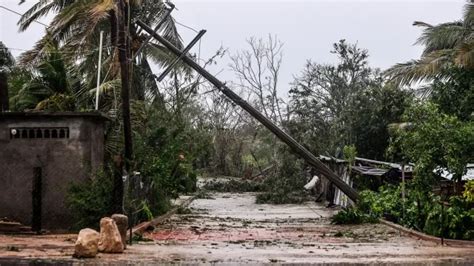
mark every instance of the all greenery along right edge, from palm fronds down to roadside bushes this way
{"type": "Point", "coordinates": [436, 133]}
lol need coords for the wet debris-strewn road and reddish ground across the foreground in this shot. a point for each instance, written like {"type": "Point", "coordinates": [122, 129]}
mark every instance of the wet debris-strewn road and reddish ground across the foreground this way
{"type": "Point", "coordinates": [231, 229]}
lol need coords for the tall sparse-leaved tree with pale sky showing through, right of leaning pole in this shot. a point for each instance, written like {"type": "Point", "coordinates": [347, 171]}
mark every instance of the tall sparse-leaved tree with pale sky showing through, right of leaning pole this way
{"type": "Point", "coordinates": [323, 98]}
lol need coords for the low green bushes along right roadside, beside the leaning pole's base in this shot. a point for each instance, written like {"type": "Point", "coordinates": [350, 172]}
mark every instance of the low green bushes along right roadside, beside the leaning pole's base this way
{"type": "Point", "coordinates": [426, 213]}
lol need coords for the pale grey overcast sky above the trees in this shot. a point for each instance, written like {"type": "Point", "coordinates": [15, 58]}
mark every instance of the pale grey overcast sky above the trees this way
{"type": "Point", "coordinates": [307, 28]}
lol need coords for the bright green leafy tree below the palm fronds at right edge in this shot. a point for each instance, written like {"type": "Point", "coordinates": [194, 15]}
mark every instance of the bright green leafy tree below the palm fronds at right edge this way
{"type": "Point", "coordinates": [435, 141]}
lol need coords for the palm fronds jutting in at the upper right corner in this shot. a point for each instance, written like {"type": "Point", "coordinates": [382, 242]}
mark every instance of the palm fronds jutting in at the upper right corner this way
{"type": "Point", "coordinates": [446, 45]}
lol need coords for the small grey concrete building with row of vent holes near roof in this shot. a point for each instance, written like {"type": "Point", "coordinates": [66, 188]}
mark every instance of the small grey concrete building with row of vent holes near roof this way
{"type": "Point", "coordinates": [41, 154]}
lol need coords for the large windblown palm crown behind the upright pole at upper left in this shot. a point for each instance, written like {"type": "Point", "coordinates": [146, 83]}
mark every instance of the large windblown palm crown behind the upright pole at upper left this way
{"type": "Point", "coordinates": [76, 26]}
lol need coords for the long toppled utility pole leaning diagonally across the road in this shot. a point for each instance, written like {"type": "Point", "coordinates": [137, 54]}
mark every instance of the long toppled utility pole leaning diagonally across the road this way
{"type": "Point", "coordinates": [320, 167]}
